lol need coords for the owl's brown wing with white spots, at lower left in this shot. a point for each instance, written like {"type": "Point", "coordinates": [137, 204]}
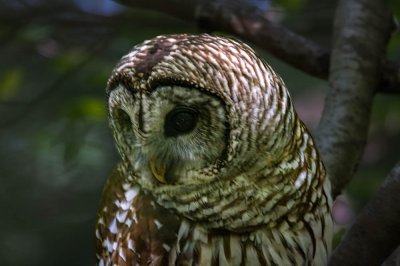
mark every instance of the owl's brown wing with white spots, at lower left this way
{"type": "Point", "coordinates": [131, 228]}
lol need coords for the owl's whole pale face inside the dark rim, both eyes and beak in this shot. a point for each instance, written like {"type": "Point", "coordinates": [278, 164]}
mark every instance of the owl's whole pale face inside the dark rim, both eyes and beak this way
{"type": "Point", "coordinates": [172, 133]}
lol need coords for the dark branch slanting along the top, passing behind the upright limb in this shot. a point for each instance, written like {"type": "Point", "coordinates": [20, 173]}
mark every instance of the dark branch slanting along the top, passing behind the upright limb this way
{"type": "Point", "coordinates": [245, 21]}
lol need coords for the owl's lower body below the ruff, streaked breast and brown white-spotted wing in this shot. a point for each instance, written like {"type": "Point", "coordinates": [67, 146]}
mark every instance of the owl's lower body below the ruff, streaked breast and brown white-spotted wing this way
{"type": "Point", "coordinates": [133, 228]}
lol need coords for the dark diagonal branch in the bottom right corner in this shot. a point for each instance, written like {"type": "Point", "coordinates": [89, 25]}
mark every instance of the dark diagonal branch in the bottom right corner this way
{"type": "Point", "coordinates": [376, 231]}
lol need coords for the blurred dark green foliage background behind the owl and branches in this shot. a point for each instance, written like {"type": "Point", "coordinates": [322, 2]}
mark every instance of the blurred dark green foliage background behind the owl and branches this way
{"type": "Point", "coordinates": [55, 144]}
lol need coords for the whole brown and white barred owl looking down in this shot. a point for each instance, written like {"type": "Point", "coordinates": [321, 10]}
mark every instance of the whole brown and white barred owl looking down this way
{"type": "Point", "coordinates": [216, 169]}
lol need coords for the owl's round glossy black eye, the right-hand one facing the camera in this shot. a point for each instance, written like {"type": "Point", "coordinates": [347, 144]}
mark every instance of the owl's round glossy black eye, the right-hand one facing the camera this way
{"type": "Point", "coordinates": [179, 121]}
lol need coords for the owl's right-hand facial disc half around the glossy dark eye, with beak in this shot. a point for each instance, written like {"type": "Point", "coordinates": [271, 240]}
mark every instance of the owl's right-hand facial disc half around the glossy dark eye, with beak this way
{"type": "Point", "coordinates": [183, 130]}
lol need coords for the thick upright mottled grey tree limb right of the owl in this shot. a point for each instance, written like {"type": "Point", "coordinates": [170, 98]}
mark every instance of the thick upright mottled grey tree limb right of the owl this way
{"type": "Point", "coordinates": [361, 31]}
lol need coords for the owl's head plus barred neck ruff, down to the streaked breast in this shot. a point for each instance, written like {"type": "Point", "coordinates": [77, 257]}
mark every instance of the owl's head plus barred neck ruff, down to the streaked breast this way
{"type": "Point", "coordinates": [202, 123]}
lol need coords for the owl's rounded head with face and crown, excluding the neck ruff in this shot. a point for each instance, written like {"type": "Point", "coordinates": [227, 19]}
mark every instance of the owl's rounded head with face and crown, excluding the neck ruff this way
{"type": "Point", "coordinates": [189, 109]}
